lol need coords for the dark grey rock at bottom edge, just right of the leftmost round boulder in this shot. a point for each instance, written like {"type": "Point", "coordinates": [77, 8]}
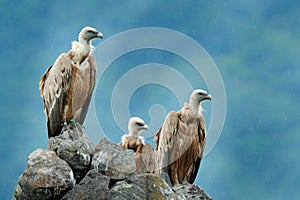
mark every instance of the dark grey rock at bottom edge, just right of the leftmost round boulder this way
{"type": "Point", "coordinates": [93, 186]}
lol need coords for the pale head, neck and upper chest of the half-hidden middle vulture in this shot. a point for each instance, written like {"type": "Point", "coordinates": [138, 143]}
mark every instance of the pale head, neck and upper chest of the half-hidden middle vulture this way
{"type": "Point", "coordinates": [133, 140]}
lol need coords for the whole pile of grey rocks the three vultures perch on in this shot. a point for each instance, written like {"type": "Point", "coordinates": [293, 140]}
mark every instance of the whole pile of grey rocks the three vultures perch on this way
{"type": "Point", "coordinates": [105, 172]}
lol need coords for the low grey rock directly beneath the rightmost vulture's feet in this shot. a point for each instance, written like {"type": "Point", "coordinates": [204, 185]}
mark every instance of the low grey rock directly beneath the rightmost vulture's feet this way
{"type": "Point", "coordinates": [190, 191]}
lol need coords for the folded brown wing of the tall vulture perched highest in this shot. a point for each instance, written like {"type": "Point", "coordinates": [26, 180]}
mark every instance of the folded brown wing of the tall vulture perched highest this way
{"type": "Point", "coordinates": [54, 86]}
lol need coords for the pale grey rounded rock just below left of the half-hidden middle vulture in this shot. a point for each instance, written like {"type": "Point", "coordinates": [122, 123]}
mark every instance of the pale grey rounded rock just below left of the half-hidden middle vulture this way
{"type": "Point", "coordinates": [113, 160]}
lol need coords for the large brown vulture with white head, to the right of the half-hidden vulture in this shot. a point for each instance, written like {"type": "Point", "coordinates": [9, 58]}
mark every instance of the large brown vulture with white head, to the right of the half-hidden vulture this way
{"type": "Point", "coordinates": [181, 140]}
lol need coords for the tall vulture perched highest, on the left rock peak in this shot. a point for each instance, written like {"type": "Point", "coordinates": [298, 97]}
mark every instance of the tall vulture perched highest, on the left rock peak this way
{"type": "Point", "coordinates": [67, 86]}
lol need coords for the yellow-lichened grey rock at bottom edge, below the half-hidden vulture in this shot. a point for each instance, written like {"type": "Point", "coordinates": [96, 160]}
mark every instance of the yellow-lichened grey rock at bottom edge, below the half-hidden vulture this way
{"type": "Point", "coordinates": [142, 186]}
